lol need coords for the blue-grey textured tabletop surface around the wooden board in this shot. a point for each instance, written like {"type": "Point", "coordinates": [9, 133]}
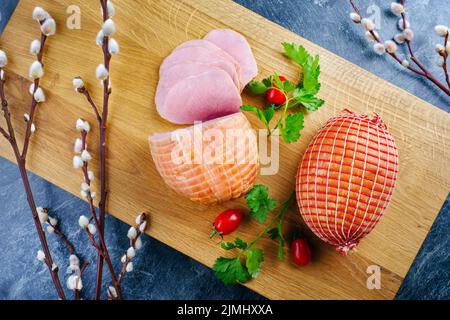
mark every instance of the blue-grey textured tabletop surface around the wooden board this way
{"type": "Point", "coordinates": [163, 273]}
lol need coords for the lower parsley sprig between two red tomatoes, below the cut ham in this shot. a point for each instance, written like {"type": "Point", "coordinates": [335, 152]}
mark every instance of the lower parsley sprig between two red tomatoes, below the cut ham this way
{"type": "Point", "coordinates": [248, 261]}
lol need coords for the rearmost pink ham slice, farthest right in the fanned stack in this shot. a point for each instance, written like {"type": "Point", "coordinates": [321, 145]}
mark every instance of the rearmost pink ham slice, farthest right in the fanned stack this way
{"type": "Point", "coordinates": [237, 46]}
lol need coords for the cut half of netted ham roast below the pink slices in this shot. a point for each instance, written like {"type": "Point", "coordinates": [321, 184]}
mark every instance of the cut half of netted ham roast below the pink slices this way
{"type": "Point", "coordinates": [211, 162]}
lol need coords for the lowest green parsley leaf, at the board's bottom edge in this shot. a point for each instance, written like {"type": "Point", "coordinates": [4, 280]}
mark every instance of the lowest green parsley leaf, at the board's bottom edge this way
{"type": "Point", "coordinates": [230, 270]}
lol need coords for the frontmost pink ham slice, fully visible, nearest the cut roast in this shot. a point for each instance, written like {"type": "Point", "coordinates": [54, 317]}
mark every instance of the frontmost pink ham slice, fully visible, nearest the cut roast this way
{"type": "Point", "coordinates": [209, 95]}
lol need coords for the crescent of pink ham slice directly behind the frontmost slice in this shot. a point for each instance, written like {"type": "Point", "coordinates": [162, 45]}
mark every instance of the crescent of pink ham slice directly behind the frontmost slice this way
{"type": "Point", "coordinates": [216, 58]}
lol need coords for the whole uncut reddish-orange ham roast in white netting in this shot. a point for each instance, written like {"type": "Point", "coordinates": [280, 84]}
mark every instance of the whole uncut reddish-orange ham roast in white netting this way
{"type": "Point", "coordinates": [346, 179]}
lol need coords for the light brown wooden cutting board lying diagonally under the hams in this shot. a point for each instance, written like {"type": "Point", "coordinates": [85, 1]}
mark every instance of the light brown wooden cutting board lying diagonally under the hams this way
{"type": "Point", "coordinates": [147, 32]}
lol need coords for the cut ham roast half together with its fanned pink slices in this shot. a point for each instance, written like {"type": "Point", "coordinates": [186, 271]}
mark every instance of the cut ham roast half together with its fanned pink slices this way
{"type": "Point", "coordinates": [202, 80]}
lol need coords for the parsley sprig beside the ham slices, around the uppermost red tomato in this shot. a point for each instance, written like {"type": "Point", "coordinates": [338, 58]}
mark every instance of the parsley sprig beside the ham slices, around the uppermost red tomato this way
{"type": "Point", "coordinates": [304, 94]}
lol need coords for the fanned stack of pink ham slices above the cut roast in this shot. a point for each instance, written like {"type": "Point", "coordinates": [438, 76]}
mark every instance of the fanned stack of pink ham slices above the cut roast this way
{"type": "Point", "coordinates": [203, 79]}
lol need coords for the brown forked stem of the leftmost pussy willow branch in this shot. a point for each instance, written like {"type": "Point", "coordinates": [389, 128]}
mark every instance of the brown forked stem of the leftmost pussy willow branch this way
{"type": "Point", "coordinates": [21, 163]}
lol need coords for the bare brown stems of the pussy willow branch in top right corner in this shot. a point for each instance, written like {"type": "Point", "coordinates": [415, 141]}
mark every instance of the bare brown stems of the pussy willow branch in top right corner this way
{"type": "Point", "coordinates": [422, 71]}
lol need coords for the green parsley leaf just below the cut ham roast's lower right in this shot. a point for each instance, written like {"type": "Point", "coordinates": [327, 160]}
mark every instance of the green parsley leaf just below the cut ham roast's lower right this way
{"type": "Point", "coordinates": [259, 203]}
